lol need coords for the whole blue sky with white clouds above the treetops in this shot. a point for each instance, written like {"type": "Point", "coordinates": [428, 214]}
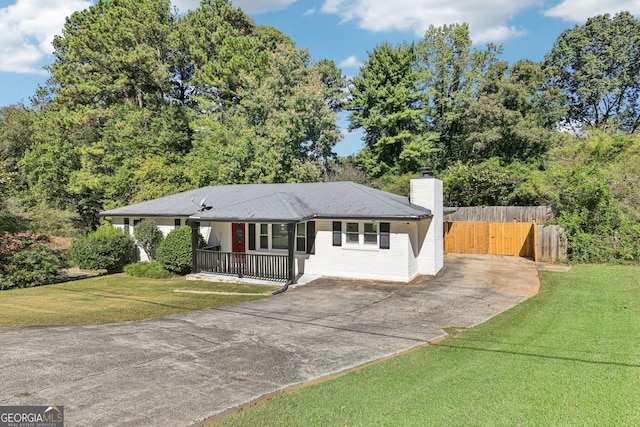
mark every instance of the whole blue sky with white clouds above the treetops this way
{"type": "Point", "coordinates": [341, 30]}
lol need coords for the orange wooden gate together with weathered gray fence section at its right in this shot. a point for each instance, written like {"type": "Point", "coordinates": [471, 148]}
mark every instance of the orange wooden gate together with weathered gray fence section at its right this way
{"type": "Point", "coordinates": [530, 240]}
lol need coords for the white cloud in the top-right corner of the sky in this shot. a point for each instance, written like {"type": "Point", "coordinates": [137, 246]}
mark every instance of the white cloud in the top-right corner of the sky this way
{"type": "Point", "coordinates": [578, 11]}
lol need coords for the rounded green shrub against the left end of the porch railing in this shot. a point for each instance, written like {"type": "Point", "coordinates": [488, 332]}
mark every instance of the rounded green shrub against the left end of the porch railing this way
{"type": "Point", "coordinates": [174, 253]}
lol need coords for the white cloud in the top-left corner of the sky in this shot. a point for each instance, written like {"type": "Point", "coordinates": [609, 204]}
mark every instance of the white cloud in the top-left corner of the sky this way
{"type": "Point", "coordinates": [28, 27]}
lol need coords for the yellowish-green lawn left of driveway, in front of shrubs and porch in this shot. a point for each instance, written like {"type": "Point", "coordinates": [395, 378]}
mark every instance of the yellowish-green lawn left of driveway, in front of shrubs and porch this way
{"type": "Point", "coordinates": [114, 298]}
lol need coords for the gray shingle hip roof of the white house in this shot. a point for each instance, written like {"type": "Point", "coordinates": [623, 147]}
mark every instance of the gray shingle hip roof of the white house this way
{"type": "Point", "coordinates": [279, 203]}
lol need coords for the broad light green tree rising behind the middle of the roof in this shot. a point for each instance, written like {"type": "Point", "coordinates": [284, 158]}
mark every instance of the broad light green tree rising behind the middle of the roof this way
{"type": "Point", "coordinates": [280, 130]}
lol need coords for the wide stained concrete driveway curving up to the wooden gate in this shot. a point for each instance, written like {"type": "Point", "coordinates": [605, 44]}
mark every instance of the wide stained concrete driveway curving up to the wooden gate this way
{"type": "Point", "coordinates": [181, 370]}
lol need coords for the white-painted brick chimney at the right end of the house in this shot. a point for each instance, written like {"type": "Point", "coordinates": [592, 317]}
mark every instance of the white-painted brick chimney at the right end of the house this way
{"type": "Point", "coordinates": [427, 192]}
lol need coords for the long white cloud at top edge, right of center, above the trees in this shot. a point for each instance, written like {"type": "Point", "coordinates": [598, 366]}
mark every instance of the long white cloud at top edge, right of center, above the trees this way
{"type": "Point", "coordinates": [487, 19]}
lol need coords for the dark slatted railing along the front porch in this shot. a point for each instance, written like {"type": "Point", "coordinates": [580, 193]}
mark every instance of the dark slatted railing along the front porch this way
{"type": "Point", "coordinates": [271, 267]}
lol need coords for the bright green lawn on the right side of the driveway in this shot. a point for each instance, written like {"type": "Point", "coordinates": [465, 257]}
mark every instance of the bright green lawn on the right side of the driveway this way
{"type": "Point", "coordinates": [568, 357]}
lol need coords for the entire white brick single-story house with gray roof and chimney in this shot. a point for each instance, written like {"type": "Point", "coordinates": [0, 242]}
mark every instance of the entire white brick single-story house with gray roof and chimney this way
{"type": "Point", "coordinates": [282, 231]}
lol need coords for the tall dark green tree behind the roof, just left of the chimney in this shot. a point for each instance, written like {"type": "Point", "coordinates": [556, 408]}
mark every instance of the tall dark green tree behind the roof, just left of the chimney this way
{"type": "Point", "coordinates": [386, 104]}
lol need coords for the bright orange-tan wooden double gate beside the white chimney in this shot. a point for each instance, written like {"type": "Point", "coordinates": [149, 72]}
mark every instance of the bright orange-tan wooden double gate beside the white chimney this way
{"type": "Point", "coordinates": [494, 238]}
